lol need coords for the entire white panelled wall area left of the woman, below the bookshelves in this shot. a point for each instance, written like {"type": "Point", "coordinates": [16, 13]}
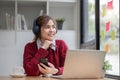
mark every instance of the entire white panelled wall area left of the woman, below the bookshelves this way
{"type": "Point", "coordinates": [11, 49]}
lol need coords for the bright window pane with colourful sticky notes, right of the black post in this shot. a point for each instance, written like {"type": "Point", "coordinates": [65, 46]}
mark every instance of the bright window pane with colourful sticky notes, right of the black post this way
{"type": "Point", "coordinates": [109, 32]}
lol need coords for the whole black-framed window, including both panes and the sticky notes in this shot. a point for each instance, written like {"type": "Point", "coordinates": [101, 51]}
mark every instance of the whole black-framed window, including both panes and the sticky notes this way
{"type": "Point", "coordinates": [99, 27]}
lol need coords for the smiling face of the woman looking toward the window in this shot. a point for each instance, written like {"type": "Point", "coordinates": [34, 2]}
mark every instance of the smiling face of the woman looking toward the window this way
{"type": "Point", "coordinates": [48, 32]}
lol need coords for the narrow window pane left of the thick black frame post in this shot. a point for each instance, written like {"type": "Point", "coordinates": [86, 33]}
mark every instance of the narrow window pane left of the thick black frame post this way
{"type": "Point", "coordinates": [88, 24]}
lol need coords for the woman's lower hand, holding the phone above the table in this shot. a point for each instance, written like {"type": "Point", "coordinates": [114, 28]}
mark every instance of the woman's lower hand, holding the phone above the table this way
{"type": "Point", "coordinates": [47, 70]}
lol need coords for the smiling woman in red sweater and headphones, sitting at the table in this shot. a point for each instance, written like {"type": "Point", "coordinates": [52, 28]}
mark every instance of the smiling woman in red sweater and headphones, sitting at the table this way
{"type": "Point", "coordinates": [44, 46]}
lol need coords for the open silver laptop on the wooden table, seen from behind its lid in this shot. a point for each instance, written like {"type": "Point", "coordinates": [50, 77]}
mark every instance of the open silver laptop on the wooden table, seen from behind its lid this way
{"type": "Point", "coordinates": [83, 64]}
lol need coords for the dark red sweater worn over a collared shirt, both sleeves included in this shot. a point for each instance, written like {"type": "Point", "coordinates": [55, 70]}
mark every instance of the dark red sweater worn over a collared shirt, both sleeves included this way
{"type": "Point", "coordinates": [32, 54]}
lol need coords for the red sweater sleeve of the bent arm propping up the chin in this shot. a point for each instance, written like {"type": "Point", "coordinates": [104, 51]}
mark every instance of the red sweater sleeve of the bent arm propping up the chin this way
{"type": "Point", "coordinates": [30, 59]}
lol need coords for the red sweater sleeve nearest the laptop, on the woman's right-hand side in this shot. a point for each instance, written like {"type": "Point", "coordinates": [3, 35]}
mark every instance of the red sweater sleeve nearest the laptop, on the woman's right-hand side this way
{"type": "Point", "coordinates": [63, 50]}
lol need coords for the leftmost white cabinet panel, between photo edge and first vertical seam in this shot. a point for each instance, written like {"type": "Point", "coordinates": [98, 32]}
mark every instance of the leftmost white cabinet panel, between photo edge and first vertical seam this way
{"type": "Point", "coordinates": [7, 52]}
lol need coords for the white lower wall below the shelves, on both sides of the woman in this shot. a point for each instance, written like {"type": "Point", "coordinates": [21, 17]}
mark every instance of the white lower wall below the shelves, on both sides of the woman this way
{"type": "Point", "coordinates": [12, 46]}
